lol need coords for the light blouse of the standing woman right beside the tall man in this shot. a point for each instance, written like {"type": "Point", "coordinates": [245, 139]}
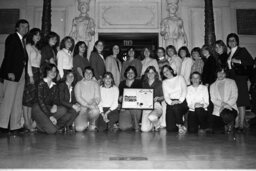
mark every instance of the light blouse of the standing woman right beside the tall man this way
{"type": "Point", "coordinates": [34, 58]}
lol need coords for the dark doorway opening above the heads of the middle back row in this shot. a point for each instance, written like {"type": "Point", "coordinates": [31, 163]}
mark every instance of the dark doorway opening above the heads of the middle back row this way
{"type": "Point", "coordinates": [126, 40]}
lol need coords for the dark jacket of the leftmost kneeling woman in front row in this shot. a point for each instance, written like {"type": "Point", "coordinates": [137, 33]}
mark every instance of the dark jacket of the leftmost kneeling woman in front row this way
{"type": "Point", "coordinates": [47, 97]}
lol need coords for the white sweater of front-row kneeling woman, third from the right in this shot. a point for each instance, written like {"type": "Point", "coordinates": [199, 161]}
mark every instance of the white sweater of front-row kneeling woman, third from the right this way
{"type": "Point", "coordinates": [174, 88]}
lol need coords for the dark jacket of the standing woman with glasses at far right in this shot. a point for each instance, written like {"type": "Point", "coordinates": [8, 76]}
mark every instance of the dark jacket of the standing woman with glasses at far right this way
{"type": "Point", "coordinates": [246, 59]}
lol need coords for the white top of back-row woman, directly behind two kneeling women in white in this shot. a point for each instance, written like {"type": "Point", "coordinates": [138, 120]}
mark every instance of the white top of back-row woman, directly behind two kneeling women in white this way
{"type": "Point", "coordinates": [186, 69]}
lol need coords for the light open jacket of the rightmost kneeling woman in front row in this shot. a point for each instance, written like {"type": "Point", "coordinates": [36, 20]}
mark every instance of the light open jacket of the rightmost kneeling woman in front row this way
{"type": "Point", "coordinates": [230, 95]}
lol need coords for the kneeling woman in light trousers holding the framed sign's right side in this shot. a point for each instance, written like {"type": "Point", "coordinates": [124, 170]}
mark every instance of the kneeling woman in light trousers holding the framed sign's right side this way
{"type": "Point", "coordinates": [150, 118]}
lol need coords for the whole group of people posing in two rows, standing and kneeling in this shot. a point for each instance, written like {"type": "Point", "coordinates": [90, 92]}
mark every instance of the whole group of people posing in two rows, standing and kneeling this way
{"type": "Point", "coordinates": [57, 89]}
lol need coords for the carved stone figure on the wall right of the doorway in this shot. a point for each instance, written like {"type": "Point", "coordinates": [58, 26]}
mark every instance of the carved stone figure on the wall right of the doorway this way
{"type": "Point", "coordinates": [172, 28]}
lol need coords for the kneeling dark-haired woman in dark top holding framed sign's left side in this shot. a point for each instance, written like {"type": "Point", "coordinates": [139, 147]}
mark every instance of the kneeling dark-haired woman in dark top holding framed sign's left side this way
{"type": "Point", "coordinates": [129, 118]}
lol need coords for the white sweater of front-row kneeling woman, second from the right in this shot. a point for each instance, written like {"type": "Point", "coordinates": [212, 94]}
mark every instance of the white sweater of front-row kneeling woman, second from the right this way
{"type": "Point", "coordinates": [197, 95]}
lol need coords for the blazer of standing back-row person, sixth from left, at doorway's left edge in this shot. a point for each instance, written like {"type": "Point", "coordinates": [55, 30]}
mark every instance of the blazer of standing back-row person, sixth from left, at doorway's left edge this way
{"type": "Point", "coordinates": [98, 65]}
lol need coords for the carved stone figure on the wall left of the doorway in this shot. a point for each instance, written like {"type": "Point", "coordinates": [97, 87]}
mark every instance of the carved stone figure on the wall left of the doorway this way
{"type": "Point", "coordinates": [83, 27]}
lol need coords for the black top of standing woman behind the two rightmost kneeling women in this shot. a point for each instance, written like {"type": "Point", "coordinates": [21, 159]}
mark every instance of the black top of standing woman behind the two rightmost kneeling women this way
{"type": "Point", "coordinates": [209, 71]}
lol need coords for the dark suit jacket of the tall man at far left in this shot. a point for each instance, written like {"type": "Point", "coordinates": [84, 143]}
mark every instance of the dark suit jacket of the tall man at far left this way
{"type": "Point", "coordinates": [15, 58]}
